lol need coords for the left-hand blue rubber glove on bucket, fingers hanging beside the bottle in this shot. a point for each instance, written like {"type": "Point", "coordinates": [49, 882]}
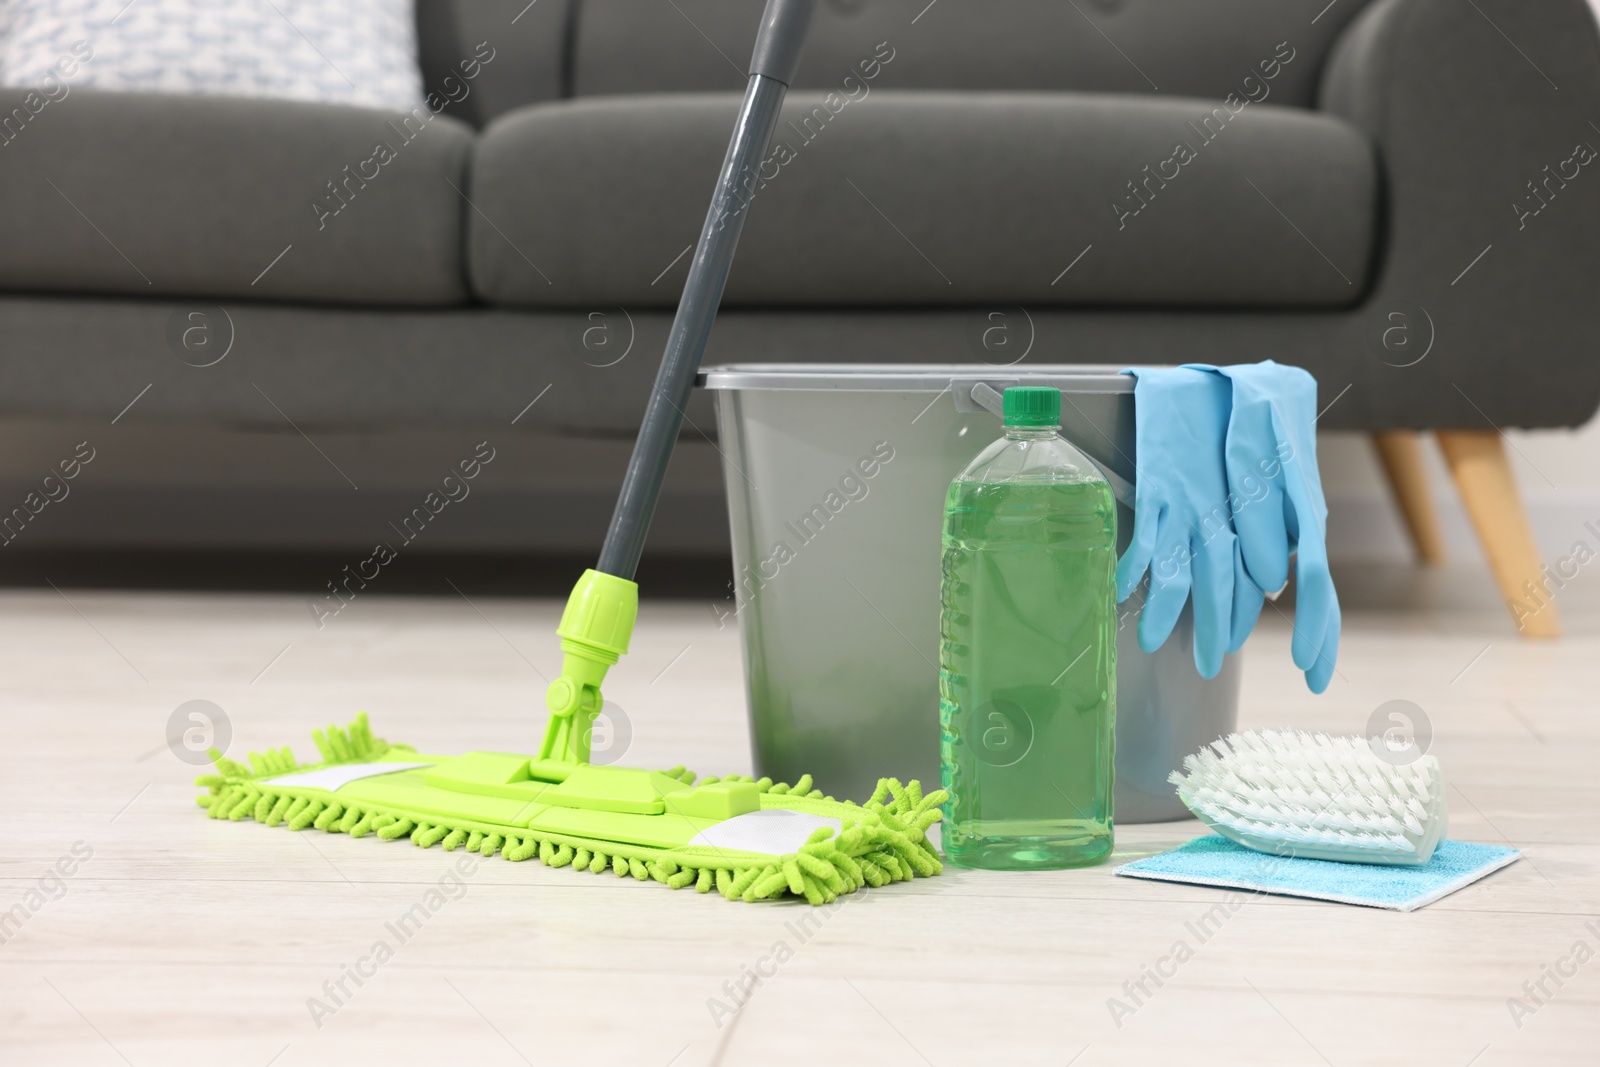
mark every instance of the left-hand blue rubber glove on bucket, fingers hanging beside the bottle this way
{"type": "Point", "coordinates": [1183, 530]}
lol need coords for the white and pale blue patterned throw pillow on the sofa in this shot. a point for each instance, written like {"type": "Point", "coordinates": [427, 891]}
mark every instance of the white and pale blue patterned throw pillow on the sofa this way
{"type": "Point", "coordinates": [330, 52]}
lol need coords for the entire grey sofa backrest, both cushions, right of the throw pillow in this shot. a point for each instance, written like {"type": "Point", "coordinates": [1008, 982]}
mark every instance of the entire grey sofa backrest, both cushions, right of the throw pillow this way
{"type": "Point", "coordinates": [530, 54]}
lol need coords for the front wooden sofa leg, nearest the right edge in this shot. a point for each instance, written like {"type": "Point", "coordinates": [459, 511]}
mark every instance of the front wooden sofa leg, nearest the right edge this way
{"type": "Point", "coordinates": [1482, 474]}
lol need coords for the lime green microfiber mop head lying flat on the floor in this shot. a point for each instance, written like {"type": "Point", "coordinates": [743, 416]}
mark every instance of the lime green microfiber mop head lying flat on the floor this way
{"type": "Point", "coordinates": [753, 841]}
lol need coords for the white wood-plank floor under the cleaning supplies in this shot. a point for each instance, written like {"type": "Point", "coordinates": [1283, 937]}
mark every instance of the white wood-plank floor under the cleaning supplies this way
{"type": "Point", "coordinates": [186, 941]}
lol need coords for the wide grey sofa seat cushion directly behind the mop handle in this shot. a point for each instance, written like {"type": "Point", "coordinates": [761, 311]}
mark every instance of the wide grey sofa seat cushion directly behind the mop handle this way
{"type": "Point", "coordinates": [932, 199]}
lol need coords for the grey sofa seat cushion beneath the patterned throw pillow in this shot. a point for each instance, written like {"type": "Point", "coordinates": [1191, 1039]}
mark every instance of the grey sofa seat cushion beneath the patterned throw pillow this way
{"type": "Point", "coordinates": [193, 196]}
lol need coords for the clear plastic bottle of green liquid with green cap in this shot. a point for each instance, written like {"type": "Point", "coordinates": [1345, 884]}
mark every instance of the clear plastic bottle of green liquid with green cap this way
{"type": "Point", "coordinates": [1028, 650]}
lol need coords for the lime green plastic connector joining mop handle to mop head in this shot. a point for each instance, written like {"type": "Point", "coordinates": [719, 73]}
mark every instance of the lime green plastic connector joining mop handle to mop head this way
{"type": "Point", "coordinates": [596, 629]}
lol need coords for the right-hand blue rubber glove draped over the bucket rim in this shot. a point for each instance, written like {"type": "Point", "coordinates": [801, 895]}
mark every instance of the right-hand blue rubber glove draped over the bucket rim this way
{"type": "Point", "coordinates": [1279, 506]}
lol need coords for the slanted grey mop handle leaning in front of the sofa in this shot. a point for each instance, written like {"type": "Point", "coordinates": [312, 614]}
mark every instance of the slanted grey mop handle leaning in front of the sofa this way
{"type": "Point", "coordinates": [772, 68]}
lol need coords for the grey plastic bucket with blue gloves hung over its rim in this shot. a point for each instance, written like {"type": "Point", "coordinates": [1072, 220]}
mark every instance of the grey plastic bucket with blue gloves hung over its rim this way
{"type": "Point", "coordinates": [836, 492]}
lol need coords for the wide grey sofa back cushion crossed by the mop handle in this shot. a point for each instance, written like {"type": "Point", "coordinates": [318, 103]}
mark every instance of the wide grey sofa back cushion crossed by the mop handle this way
{"type": "Point", "coordinates": [1175, 47]}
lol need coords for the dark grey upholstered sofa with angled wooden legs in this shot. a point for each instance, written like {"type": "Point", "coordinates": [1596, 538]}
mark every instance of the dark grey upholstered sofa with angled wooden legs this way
{"type": "Point", "coordinates": [1391, 194]}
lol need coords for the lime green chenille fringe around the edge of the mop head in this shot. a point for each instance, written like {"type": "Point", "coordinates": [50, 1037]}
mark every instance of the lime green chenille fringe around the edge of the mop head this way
{"type": "Point", "coordinates": [879, 844]}
